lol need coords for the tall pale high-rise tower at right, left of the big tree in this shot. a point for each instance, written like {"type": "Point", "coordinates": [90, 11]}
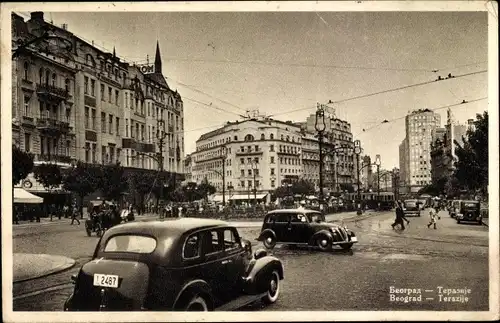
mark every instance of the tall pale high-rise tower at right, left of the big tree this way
{"type": "Point", "coordinates": [417, 159]}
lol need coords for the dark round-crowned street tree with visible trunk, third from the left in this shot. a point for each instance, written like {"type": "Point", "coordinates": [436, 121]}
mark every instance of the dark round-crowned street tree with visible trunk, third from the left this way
{"type": "Point", "coordinates": [81, 180]}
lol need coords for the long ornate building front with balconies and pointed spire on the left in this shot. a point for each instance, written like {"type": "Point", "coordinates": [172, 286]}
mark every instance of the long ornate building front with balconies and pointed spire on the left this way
{"type": "Point", "coordinates": [73, 101]}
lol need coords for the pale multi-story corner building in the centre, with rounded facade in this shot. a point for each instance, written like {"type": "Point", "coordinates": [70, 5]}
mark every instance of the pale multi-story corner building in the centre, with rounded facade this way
{"type": "Point", "coordinates": [259, 154]}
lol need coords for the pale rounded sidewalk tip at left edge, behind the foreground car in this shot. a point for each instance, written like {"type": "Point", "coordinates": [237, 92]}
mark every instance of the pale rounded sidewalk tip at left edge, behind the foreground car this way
{"type": "Point", "coordinates": [32, 266]}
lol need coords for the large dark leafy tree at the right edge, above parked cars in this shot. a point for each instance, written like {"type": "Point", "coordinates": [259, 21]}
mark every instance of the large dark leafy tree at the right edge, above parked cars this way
{"type": "Point", "coordinates": [471, 166]}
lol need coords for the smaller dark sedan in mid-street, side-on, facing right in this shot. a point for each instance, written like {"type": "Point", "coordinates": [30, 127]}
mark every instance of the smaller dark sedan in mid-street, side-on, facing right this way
{"type": "Point", "coordinates": [301, 226]}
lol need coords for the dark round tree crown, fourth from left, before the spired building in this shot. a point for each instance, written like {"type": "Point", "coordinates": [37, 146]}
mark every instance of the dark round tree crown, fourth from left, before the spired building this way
{"type": "Point", "coordinates": [111, 181]}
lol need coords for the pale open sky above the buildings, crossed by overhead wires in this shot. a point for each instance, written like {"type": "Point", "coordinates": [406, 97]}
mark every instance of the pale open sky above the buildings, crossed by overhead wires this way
{"type": "Point", "coordinates": [224, 63]}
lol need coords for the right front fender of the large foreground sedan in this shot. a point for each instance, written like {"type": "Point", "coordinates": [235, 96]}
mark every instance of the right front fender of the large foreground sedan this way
{"type": "Point", "coordinates": [256, 280]}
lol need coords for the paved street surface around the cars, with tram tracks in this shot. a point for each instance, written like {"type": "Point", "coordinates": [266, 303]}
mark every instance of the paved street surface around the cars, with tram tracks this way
{"type": "Point", "coordinates": [453, 256]}
